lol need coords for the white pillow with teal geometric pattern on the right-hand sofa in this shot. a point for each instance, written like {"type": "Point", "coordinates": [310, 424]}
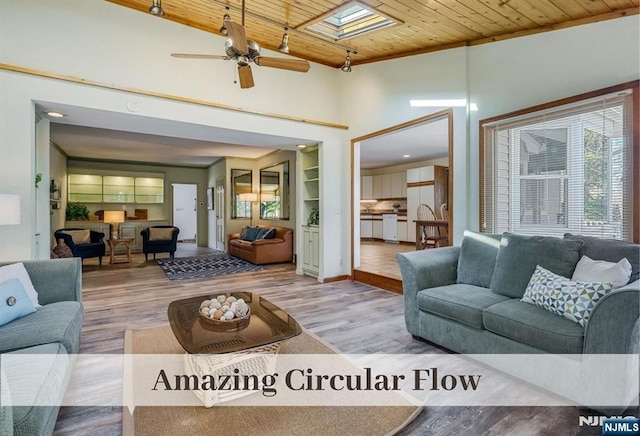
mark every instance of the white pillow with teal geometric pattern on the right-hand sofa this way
{"type": "Point", "coordinates": [564, 297]}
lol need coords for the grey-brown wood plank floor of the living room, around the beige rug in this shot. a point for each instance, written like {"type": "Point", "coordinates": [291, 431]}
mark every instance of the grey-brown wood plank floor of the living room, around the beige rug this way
{"type": "Point", "coordinates": [136, 295]}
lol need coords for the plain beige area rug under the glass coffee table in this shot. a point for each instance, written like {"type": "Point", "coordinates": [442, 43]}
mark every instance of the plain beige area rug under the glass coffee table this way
{"type": "Point", "coordinates": [263, 421]}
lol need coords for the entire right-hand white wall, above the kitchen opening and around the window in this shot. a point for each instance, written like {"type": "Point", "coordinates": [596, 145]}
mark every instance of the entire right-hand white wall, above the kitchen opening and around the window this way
{"type": "Point", "coordinates": [499, 77]}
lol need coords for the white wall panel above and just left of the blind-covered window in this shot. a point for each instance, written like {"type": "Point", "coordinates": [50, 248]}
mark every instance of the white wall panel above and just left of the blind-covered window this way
{"type": "Point", "coordinates": [523, 72]}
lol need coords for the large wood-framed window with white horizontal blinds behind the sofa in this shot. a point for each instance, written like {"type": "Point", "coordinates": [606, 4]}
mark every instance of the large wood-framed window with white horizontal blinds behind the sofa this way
{"type": "Point", "coordinates": [566, 166]}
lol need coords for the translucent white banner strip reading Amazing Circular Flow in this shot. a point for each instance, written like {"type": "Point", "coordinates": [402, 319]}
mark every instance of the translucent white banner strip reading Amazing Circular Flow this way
{"type": "Point", "coordinates": [256, 379]}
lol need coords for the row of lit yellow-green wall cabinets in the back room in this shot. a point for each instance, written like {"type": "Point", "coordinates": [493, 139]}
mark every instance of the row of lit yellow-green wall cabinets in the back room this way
{"type": "Point", "coordinates": [88, 188]}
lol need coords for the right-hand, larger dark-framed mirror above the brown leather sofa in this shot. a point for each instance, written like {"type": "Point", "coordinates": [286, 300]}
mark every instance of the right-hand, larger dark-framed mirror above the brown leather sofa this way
{"type": "Point", "coordinates": [274, 192]}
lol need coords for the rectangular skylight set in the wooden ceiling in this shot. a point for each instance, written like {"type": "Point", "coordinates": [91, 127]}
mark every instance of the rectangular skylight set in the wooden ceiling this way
{"type": "Point", "coordinates": [349, 20]}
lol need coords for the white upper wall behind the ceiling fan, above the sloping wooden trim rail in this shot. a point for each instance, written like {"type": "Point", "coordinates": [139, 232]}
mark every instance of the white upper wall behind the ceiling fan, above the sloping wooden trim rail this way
{"type": "Point", "coordinates": [105, 42]}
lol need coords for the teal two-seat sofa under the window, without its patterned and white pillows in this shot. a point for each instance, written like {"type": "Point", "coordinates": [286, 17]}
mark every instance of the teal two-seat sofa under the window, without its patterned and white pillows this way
{"type": "Point", "coordinates": [467, 299]}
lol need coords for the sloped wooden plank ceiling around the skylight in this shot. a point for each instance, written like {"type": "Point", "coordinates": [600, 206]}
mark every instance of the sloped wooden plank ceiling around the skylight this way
{"type": "Point", "coordinates": [427, 25]}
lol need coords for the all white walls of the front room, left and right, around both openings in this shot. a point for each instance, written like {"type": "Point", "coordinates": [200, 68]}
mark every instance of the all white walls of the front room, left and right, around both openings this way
{"type": "Point", "coordinates": [104, 42]}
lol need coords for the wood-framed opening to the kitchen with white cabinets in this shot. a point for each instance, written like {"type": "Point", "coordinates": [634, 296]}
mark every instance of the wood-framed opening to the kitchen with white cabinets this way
{"type": "Point", "coordinates": [392, 170]}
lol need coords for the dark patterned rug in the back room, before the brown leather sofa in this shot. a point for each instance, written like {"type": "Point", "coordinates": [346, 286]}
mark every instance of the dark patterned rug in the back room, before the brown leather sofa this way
{"type": "Point", "coordinates": [211, 265]}
